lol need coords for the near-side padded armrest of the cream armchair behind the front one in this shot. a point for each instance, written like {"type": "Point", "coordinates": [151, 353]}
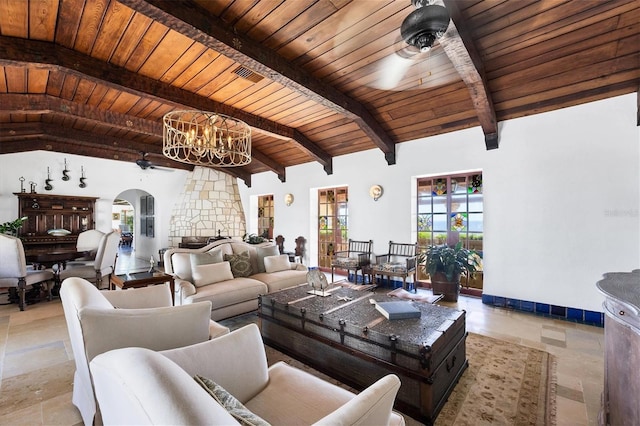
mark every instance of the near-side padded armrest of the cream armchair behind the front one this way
{"type": "Point", "coordinates": [157, 328]}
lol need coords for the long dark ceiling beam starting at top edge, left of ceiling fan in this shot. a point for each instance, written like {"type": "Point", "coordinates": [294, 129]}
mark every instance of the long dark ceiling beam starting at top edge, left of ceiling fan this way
{"type": "Point", "coordinates": [196, 23]}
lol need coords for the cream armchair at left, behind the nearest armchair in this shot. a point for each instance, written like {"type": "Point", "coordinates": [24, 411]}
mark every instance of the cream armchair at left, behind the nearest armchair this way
{"type": "Point", "coordinates": [145, 317]}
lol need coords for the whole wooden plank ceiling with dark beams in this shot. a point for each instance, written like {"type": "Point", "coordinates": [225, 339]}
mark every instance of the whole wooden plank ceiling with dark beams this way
{"type": "Point", "coordinates": [325, 77]}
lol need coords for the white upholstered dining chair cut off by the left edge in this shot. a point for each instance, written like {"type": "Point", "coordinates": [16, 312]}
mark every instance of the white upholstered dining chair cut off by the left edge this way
{"type": "Point", "coordinates": [14, 272]}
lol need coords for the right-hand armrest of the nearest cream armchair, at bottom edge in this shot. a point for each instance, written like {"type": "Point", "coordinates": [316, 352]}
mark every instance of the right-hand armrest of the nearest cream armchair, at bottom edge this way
{"type": "Point", "coordinates": [372, 406]}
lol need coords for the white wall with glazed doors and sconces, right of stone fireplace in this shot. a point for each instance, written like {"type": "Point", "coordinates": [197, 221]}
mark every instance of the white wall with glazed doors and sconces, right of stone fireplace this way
{"type": "Point", "coordinates": [562, 198]}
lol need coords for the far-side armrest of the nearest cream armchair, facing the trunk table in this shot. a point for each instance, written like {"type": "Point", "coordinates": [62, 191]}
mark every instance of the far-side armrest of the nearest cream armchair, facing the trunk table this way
{"type": "Point", "coordinates": [237, 361]}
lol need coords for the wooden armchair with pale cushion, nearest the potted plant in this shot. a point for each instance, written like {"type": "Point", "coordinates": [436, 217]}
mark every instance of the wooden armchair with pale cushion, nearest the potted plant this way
{"type": "Point", "coordinates": [400, 261]}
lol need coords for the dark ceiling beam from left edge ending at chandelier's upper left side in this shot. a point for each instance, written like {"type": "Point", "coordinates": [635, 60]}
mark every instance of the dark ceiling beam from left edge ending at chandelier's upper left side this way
{"type": "Point", "coordinates": [45, 104]}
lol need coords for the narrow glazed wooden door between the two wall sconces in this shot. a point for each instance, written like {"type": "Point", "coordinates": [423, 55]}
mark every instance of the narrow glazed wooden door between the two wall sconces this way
{"type": "Point", "coordinates": [333, 213]}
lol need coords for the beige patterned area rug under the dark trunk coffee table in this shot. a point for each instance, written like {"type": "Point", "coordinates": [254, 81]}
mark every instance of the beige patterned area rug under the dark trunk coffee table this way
{"type": "Point", "coordinates": [505, 384]}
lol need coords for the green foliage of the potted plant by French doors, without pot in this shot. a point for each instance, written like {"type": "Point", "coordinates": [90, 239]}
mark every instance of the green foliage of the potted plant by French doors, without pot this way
{"type": "Point", "coordinates": [451, 261]}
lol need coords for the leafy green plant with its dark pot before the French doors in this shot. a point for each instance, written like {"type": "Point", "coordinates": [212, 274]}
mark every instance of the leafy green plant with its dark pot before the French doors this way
{"type": "Point", "coordinates": [445, 264]}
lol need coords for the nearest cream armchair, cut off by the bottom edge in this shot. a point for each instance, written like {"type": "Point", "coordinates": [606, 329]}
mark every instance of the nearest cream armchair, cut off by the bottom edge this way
{"type": "Point", "coordinates": [143, 387]}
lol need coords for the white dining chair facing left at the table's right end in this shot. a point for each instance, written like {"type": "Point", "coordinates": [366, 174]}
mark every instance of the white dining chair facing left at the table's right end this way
{"type": "Point", "coordinates": [103, 265]}
